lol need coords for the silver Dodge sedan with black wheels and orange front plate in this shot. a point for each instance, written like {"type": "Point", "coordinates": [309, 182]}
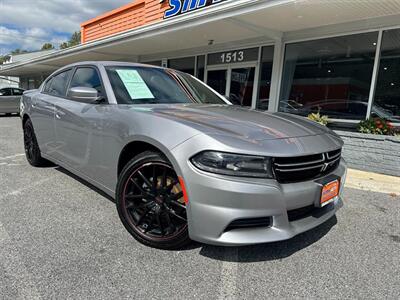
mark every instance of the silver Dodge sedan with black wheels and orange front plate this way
{"type": "Point", "coordinates": [181, 162]}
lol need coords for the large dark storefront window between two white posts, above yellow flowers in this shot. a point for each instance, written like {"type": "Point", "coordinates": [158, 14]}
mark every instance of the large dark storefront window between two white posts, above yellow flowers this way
{"type": "Point", "coordinates": [331, 75]}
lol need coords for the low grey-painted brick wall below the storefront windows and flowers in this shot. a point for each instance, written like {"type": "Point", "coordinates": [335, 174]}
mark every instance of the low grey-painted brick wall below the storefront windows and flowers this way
{"type": "Point", "coordinates": [373, 153]}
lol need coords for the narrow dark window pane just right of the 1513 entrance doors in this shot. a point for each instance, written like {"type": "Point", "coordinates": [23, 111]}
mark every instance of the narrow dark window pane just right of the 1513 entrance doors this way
{"type": "Point", "coordinates": [265, 77]}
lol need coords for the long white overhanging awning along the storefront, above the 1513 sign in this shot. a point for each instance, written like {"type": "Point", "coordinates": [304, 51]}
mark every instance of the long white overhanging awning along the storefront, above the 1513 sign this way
{"type": "Point", "coordinates": [228, 24]}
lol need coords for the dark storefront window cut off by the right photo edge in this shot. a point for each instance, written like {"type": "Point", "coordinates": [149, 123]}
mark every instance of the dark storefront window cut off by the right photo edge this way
{"type": "Point", "coordinates": [387, 94]}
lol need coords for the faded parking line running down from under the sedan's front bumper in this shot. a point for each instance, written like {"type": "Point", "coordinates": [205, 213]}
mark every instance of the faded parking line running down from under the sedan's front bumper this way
{"type": "Point", "coordinates": [229, 273]}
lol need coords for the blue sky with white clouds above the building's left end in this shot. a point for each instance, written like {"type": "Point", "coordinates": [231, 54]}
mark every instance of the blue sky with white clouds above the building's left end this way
{"type": "Point", "coordinates": [29, 24]}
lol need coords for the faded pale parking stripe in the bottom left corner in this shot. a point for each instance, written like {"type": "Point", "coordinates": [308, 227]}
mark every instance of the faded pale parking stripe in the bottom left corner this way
{"type": "Point", "coordinates": [14, 268]}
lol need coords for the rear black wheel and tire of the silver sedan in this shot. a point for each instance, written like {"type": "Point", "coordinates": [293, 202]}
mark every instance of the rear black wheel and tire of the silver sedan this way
{"type": "Point", "coordinates": [32, 150]}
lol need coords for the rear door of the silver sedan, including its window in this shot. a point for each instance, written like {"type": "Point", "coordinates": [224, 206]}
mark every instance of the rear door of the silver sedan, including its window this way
{"type": "Point", "coordinates": [42, 114]}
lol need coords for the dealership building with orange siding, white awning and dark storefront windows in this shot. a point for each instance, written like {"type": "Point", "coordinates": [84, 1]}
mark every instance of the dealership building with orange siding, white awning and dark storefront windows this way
{"type": "Point", "coordinates": [297, 56]}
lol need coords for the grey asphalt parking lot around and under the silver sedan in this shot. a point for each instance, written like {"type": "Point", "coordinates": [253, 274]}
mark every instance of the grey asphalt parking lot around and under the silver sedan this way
{"type": "Point", "coordinates": [59, 238]}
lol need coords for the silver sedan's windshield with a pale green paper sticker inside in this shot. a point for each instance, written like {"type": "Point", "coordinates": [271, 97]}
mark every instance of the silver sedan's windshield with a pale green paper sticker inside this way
{"type": "Point", "coordinates": [146, 85]}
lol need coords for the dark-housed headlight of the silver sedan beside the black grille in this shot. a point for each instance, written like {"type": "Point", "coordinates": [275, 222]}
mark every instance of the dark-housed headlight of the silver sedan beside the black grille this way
{"type": "Point", "coordinates": [233, 164]}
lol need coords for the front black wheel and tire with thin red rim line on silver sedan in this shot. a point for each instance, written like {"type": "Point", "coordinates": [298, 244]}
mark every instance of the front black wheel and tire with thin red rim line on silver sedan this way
{"type": "Point", "coordinates": [150, 202]}
